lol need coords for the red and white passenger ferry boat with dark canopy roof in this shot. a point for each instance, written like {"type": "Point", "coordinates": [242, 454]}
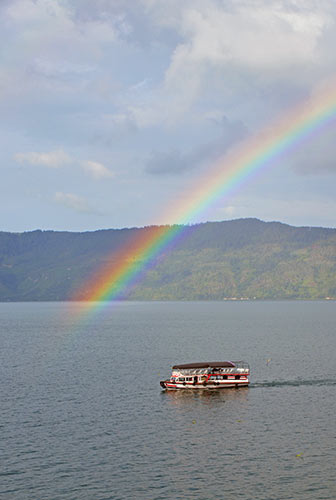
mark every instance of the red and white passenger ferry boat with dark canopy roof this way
{"type": "Point", "coordinates": [209, 375]}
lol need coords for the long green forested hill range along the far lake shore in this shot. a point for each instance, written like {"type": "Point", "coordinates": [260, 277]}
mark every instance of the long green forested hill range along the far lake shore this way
{"type": "Point", "coordinates": [244, 258]}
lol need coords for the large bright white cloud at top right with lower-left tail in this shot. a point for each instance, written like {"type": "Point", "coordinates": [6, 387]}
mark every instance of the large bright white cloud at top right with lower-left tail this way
{"type": "Point", "coordinates": [238, 47]}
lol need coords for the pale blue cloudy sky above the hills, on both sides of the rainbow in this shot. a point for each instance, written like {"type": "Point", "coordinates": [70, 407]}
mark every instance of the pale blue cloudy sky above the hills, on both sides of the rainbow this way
{"type": "Point", "coordinates": [110, 110]}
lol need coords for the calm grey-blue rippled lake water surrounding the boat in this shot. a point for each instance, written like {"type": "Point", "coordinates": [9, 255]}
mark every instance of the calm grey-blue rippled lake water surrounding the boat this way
{"type": "Point", "coordinates": [83, 415]}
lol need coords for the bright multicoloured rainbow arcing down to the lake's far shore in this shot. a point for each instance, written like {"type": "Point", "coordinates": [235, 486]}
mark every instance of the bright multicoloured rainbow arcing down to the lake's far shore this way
{"type": "Point", "coordinates": [127, 266]}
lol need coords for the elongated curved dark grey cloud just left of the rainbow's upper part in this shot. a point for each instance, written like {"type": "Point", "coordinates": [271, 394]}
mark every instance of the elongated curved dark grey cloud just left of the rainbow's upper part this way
{"type": "Point", "coordinates": [174, 162]}
